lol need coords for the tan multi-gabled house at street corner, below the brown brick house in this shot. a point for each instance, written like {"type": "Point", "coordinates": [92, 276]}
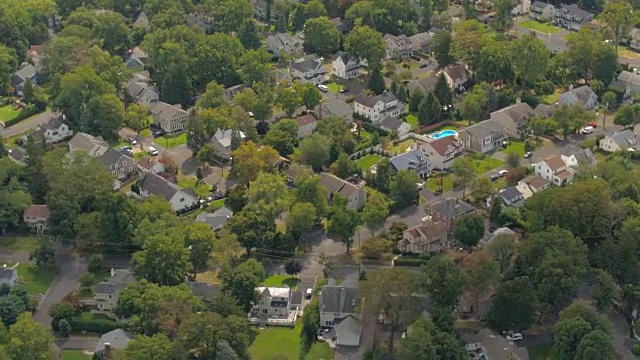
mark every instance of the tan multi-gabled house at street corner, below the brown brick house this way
{"type": "Point", "coordinates": [428, 237]}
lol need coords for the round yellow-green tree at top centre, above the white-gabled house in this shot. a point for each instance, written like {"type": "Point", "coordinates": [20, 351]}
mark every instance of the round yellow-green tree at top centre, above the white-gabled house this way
{"type": "Point", "coordinates": [366, 43]}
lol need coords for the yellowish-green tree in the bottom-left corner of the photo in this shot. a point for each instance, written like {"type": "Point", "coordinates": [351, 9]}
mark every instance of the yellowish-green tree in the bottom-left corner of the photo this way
{"type": "Point", "coordinates": [29, 340]}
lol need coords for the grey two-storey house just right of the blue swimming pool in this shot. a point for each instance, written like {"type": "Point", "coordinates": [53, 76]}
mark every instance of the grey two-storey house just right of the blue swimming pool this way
{"type": "Point", "coordinates": [483, 137]}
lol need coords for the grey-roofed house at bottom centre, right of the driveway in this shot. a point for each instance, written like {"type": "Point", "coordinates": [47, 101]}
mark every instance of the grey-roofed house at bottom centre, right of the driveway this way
{"type": "Point", "coordinates": [338, 305]}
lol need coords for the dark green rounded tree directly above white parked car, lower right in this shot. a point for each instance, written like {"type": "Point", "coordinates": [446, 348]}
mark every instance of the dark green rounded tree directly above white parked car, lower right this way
{"type": "Point", "coordinates": [513, 306]}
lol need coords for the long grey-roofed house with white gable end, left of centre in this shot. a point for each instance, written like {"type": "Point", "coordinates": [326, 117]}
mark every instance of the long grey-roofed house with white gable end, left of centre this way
{"type": "Point", "coordinates": [180, 199]}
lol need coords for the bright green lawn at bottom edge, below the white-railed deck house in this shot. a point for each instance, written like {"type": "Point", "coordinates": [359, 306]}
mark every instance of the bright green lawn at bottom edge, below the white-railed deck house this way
{"type": "Point", "coordinates": [277, 343]}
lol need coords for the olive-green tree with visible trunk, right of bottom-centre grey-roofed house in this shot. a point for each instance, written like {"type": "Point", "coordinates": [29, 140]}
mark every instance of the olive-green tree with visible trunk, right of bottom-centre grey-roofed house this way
{"type": "Point", "coordinates": [391, 292]}
